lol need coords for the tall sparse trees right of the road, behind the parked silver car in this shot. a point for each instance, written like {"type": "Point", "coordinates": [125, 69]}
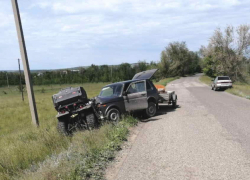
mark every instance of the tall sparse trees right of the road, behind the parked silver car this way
{"type": "Point", "coordinates": [227, 53]}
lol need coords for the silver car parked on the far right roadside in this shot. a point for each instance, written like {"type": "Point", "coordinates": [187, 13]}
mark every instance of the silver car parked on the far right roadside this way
{"type": "Point", "coordinates": [221, 82]}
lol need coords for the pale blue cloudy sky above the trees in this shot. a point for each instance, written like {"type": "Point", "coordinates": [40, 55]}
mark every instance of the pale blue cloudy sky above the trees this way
{"type": "Point", "coordinates": [70, 33]}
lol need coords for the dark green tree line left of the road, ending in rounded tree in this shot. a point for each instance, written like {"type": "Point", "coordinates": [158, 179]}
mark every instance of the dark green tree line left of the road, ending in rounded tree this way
{"type": "Point", "coordinates": [176, 60]}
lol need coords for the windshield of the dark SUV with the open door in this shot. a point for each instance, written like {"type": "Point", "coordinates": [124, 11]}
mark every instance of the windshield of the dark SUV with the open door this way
{"type": "Point", "coordinates": [112, 90]}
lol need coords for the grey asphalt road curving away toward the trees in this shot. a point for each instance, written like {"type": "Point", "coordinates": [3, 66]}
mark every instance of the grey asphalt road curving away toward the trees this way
{"type": "Point", "coordinates": [206, 137]}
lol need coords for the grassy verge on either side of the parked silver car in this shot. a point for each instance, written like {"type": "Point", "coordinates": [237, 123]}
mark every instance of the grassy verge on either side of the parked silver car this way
{"type": "Point", "coordinates": [239, 89]}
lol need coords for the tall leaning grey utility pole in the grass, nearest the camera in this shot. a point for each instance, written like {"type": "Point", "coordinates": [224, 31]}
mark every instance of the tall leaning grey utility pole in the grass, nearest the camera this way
{"type": "Point", "coordinates": [26, 68]}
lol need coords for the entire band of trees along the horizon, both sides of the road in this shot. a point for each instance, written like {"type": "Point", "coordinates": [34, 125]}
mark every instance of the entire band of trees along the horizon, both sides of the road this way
{"type": "Point", "coordinates": [227, 53]}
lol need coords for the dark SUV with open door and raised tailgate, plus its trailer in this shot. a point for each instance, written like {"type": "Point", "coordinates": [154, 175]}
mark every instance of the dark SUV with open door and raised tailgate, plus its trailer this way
{"type": "Point", "coordinates": [132, 95]}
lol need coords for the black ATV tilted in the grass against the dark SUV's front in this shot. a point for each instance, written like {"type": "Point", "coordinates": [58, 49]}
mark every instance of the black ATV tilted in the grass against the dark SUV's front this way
{"type": "Point", "coordinates": [75, 110]}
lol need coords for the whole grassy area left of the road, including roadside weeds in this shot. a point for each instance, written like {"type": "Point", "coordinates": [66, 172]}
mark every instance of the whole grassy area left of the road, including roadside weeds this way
{"type": "Point", "coordinates": [27, 152]}
